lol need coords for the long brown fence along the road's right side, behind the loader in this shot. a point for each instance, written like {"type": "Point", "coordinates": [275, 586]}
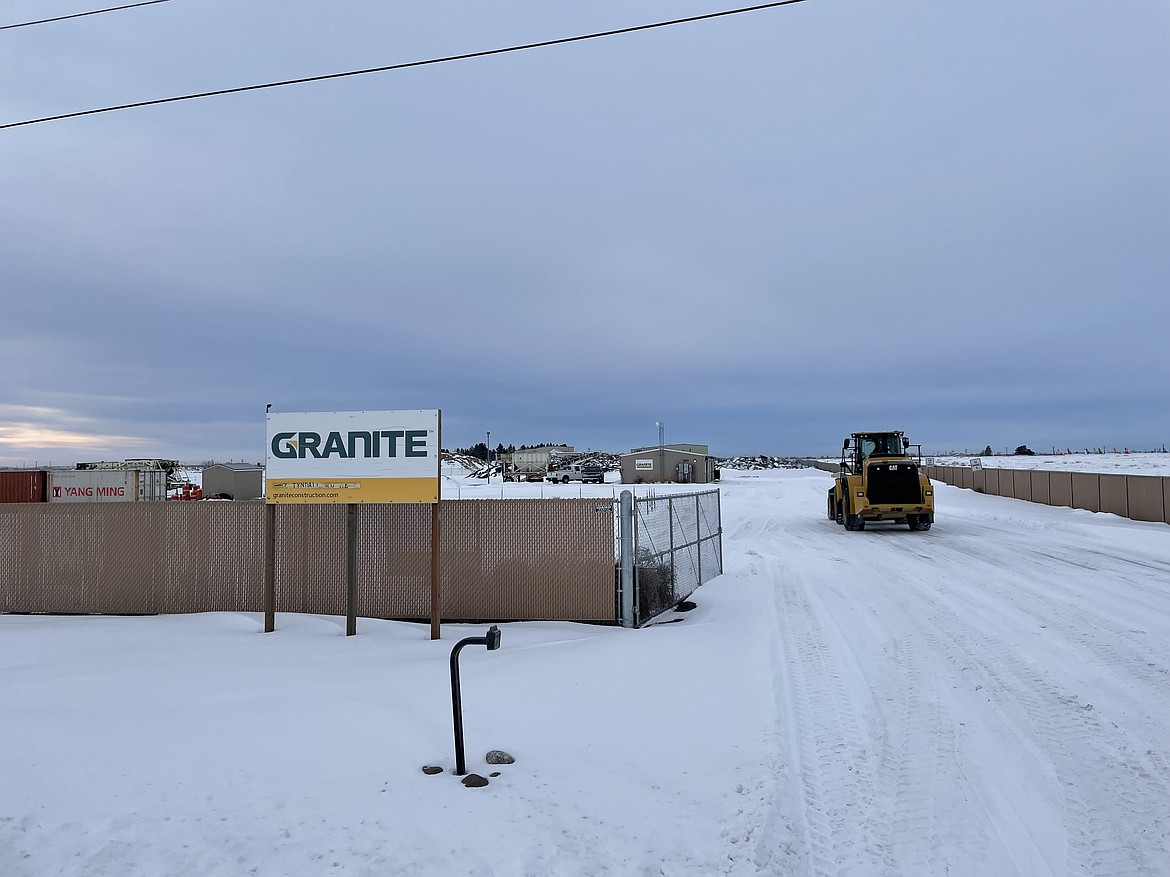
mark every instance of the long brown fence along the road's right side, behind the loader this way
{"type": "Point", "coordinates": [1139, 498]}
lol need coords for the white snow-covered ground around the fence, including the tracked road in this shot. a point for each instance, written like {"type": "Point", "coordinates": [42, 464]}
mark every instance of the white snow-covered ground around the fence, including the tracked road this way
{"type": "Point", "coordinates": [990, 698]}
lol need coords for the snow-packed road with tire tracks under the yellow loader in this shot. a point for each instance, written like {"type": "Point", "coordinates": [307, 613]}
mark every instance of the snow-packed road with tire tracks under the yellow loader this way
{"type": "Point", "coordinates": [989, 698]}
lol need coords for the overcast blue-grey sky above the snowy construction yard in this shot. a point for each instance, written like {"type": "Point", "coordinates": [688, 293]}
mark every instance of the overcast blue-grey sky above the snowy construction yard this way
{"type": "Point", "coordinates": [766, 231]}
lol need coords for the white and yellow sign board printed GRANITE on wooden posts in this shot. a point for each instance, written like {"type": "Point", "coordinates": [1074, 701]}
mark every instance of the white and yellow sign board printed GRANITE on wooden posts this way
{"type": "Point", "coordinates": [390, 457]}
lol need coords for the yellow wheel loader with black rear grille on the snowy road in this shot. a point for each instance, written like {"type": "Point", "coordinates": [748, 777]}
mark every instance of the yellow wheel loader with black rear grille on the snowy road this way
{"type": "Point", "coordinates": [880, 480]}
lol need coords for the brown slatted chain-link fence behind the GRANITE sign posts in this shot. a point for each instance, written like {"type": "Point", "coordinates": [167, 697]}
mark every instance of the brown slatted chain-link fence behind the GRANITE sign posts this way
{"type": "Point", "coordinates": [505, 561]}
